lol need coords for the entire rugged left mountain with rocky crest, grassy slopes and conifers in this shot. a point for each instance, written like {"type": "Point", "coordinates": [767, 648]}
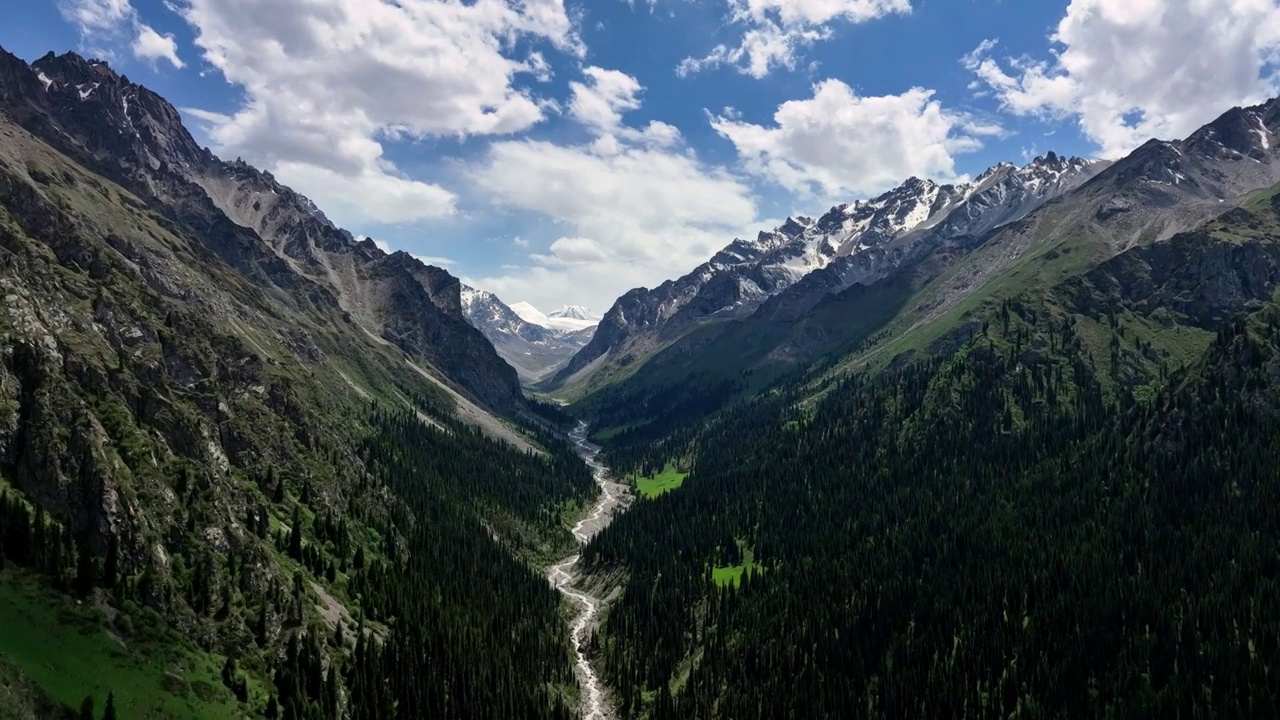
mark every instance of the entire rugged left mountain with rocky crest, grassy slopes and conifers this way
{"type": "Point", "coordinates": [249, 467]}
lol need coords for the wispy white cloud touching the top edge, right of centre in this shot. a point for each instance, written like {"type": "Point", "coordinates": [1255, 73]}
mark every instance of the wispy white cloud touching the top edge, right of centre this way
{"type": "Point", "coordinates": [779, 30]}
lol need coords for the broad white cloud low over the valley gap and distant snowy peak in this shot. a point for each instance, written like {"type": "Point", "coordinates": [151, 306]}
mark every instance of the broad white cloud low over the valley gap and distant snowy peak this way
{"type": "Point", "coordinates": [633, 217]}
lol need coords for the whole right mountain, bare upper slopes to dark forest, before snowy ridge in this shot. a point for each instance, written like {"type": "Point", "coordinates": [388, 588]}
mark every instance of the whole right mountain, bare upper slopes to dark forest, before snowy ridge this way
{"type": "Point", "coordinates": [1037, 441]}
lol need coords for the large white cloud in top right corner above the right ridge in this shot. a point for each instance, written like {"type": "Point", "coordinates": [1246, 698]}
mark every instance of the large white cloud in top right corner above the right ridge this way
{"type": "Point", "coordinates": [1133, 70]}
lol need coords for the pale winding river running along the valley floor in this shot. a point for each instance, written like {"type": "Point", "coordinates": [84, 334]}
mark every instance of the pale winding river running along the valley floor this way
{"type": "Point", "coordinates": [564, 576]}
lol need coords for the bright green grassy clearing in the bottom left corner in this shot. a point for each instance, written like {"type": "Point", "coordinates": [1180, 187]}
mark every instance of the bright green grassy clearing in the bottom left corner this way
{"type": "Point", "coordinates": [63, 649]}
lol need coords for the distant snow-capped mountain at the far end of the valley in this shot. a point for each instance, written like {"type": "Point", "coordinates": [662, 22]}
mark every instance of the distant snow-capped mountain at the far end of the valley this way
{"type": "Point", "coordinates": [534, 349]}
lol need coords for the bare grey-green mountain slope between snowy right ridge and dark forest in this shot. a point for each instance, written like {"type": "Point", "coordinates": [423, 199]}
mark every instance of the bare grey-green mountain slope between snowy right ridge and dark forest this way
{"type": "Point", "coordinates": [926, 291]}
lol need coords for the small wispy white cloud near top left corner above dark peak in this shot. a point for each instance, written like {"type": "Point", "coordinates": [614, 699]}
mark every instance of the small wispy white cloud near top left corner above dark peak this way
{"type": "Point", "coordinates": [107, 24]}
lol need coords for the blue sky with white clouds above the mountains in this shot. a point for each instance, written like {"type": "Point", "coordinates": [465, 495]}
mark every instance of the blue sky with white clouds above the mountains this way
{"type": "Point", "coordinates": [565, 152]}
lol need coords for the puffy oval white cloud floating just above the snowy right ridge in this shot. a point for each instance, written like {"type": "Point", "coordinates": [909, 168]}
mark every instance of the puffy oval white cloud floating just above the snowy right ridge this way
{"type": "Point", "coordinates": [838, 144]}
